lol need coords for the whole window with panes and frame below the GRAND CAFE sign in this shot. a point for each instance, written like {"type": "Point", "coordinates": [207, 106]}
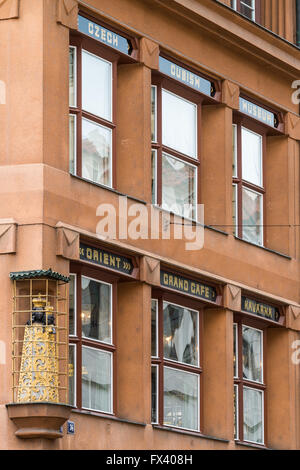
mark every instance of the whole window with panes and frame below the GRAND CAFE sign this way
{"type": "Point", "coordinates": [175, 365]}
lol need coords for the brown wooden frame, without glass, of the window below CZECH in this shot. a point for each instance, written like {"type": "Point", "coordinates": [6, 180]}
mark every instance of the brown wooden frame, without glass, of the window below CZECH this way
{"type": "Point", "coordinates": [81, 42]}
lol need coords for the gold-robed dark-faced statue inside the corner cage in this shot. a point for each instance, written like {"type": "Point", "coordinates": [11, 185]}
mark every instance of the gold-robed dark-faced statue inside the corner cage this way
{"type": "Point", "coordinates": [38, 380]}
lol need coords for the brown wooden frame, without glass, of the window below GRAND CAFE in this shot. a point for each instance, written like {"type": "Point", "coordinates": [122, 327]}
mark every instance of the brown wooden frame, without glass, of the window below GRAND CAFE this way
{"type": "Point", "coordinates": [161, 362]}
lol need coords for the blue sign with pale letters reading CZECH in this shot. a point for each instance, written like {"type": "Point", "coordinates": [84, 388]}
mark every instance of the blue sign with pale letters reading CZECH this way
{"type": "Point", "coordinates": [104, 35]}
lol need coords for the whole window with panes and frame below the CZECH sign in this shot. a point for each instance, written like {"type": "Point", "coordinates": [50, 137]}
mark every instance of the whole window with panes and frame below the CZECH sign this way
{"type": "Point", "coordinates": [92, 84]}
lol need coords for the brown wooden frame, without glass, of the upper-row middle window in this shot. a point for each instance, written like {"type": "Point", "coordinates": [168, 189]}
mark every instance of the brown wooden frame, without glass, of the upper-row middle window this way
{"type": "Point", "coordinates": [161, 82]}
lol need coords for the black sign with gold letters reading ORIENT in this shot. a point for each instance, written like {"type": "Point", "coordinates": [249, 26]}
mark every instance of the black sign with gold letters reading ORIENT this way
{"type": "Point", "coordinates": [106, 259]}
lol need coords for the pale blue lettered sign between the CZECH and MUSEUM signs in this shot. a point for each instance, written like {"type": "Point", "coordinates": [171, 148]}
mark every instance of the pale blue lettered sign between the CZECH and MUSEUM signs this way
{"type": "Point", "coordinates": [185, 76]}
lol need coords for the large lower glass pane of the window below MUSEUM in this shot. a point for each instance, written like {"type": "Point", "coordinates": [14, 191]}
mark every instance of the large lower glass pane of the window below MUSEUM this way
{"type": "Point", "coordinates": [252, 217]}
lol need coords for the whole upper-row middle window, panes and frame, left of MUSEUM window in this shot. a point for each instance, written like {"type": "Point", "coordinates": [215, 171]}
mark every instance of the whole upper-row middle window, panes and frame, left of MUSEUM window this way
{"type": "Point", "coordinates": [175, 163]}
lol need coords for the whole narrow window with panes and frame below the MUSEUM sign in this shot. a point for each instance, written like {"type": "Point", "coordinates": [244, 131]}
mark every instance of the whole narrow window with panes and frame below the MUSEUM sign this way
{"type": "Point", "coordinates": [248, 184]}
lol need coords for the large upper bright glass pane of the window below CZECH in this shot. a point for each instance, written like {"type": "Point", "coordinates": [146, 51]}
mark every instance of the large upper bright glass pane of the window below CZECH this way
{"type": "Point", "coordinates": [96, 86]}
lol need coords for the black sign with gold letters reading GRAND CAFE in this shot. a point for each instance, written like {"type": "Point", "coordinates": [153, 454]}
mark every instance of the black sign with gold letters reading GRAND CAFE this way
{"type": "Point", "coordinates": [187, 286]}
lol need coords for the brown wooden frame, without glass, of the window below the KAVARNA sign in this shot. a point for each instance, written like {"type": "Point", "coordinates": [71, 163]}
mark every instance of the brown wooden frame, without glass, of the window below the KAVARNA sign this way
{"type": "Point", "coordinates": [242, 320]}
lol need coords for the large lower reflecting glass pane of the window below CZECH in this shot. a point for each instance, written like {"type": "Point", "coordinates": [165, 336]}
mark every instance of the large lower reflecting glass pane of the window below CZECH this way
{"type": "Point", "coordinates": [96, 153]}
